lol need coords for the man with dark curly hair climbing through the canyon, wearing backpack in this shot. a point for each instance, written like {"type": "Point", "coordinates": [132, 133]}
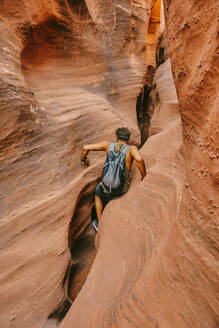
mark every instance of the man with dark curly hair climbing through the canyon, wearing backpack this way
{"type": "Point", "coordinates": [117, 153]}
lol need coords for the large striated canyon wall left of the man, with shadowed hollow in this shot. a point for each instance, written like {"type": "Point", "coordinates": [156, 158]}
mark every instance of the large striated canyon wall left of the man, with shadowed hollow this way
{"type": "Point", "coordinates": [70, 74]}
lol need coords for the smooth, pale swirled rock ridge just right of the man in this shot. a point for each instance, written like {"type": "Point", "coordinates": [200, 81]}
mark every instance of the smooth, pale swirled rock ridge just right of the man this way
{"type": "Point", "coordinates": [123, 287]}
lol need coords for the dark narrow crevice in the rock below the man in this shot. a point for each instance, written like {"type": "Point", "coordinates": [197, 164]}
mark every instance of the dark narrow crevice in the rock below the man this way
{"type": "Point", "coordinates": [81, 242]}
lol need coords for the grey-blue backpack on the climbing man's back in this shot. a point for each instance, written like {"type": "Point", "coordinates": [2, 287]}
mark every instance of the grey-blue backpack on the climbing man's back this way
{"type": "Point", "coordinates": [114, 168]}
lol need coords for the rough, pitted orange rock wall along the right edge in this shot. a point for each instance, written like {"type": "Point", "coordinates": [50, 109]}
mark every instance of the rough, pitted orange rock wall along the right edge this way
{"type": "Point", "coordinates": [193, 42]}
